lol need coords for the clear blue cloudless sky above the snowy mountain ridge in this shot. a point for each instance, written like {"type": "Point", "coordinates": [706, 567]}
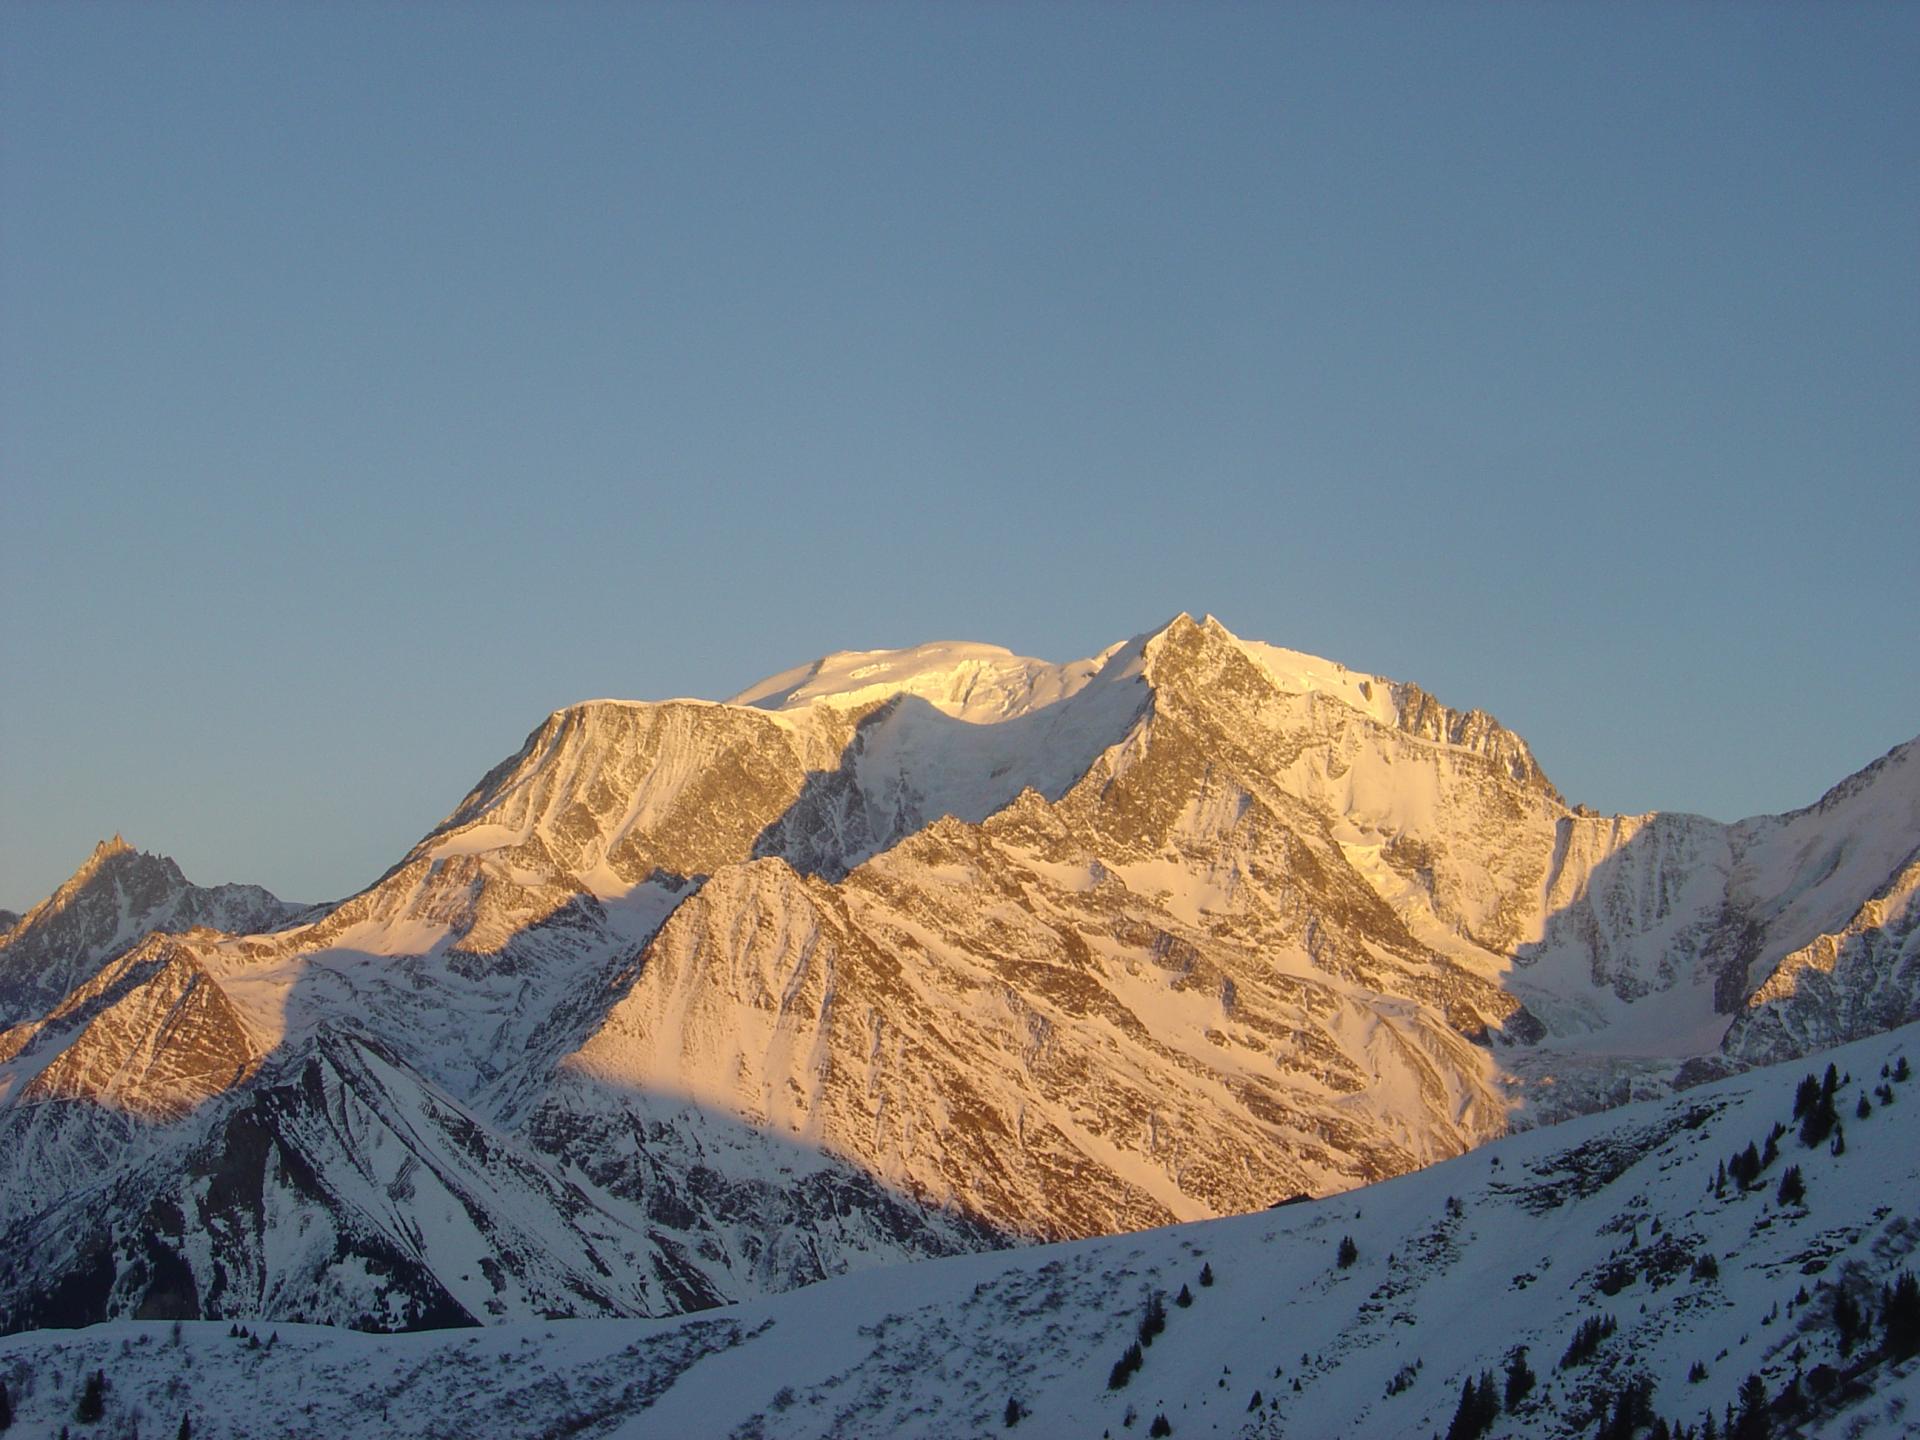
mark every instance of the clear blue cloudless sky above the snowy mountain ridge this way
{"type": "Point", "coordinates": [377, 379]}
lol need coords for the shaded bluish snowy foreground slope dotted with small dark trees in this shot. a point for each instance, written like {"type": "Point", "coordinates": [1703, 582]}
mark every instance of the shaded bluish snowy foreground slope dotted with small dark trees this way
{"type": "Point", "coordinates": [1458, 1266]}
